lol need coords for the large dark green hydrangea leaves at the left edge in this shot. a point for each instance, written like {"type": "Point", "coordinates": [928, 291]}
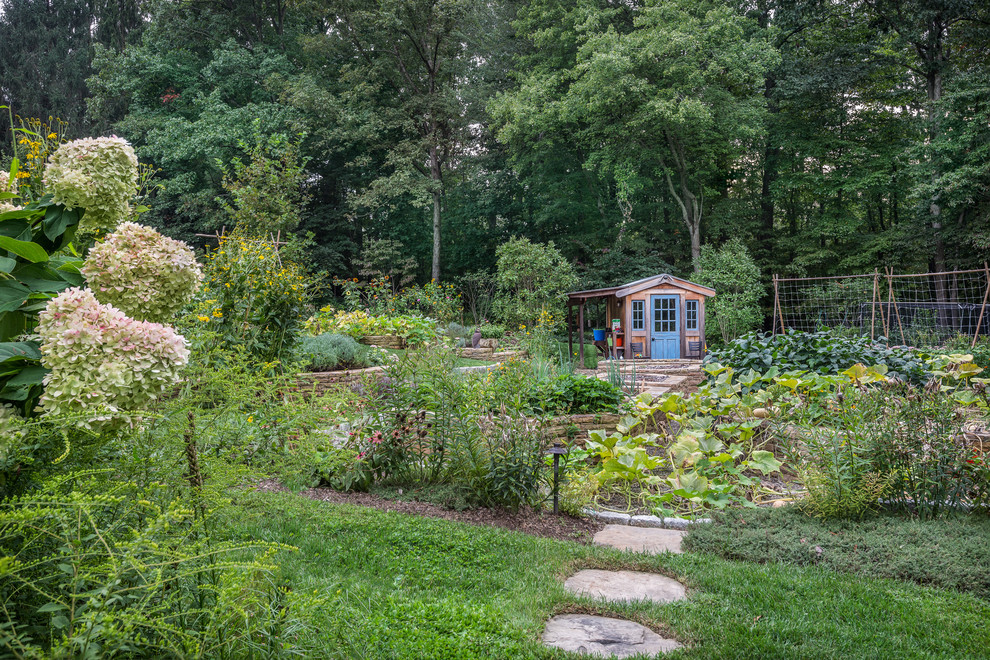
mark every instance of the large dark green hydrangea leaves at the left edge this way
{"type": "Point", "coordinates": [37, 261]}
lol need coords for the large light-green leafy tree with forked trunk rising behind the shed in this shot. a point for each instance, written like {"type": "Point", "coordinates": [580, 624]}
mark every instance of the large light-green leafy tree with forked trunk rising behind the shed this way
{"type": "Point", "coordinates": [670, 100]}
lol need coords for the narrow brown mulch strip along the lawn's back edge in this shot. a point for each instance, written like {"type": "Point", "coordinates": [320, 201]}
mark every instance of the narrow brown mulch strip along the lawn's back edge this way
{"type": "Point", "coordinates": [526, 520]}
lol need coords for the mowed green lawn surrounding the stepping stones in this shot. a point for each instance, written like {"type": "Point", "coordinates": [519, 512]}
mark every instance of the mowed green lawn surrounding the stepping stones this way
{"type": "Point", "coordinates": [397, 586]}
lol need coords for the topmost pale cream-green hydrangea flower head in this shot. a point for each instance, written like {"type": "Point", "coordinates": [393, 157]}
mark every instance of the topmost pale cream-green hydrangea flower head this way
{"type": "Point", "coordinates": [97, 174]}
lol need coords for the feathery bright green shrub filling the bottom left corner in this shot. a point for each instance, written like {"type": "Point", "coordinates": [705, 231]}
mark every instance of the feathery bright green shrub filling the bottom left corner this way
{"type": "Point", "coordinates": [97, 567]}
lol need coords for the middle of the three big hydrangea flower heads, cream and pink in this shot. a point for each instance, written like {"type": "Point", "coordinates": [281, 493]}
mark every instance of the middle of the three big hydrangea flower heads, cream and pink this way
{"type": "Point", "coordinates": [148, 276]}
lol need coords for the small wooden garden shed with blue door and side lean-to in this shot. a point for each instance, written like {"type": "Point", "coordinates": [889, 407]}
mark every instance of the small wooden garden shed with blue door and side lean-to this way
{"type": "Point", "coordinates": [660, 317]}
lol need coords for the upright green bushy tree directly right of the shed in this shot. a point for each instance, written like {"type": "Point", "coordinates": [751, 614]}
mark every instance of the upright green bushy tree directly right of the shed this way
{"type": "Point", "coordinates": [731, 271]}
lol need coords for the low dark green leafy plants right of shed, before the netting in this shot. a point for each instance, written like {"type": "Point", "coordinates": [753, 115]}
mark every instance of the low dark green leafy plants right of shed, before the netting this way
{"type": "Point", "coordinates": [822, 352]}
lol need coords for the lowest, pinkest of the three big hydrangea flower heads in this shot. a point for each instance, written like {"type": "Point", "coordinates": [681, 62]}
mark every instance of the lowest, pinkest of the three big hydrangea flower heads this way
{"type": "Point", "coordinates": [103, 363]}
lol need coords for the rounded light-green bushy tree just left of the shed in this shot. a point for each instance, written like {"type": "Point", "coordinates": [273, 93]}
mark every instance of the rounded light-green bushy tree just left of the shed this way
{"type": "Point", "coordinates": [532, 278]}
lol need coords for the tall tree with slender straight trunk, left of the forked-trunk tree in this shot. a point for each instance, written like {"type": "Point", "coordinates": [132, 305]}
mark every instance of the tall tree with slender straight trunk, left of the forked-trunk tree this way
{"type": "Point", "coordinates": [416, 52]}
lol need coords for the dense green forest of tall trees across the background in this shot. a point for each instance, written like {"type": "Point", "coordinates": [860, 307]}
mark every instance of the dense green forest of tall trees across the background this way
{"type": "Point", "coordinates": [829, 137]}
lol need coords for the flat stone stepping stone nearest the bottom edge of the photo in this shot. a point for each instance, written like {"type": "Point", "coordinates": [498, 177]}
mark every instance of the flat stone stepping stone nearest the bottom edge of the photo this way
{"type": "Point", "coordinates": [604, 636]}
